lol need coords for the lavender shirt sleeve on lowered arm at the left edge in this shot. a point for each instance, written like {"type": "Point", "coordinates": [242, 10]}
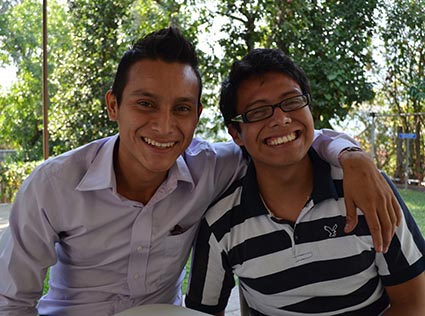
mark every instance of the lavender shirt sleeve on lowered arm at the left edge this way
{"type": "Point", "coordinates": [28, 249]}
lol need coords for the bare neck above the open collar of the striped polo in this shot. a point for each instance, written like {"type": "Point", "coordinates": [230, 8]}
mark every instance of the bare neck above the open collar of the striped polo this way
{"type": "Point", "coordinates": [286, 190]}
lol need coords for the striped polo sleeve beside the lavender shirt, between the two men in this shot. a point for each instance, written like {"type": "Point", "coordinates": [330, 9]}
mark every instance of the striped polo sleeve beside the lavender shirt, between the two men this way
{"type": "Point", "coordinates": [211, 278]}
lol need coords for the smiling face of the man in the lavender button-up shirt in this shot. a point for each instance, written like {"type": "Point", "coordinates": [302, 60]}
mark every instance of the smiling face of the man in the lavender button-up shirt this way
{"type": "Point", "coordinates": [157, 116]}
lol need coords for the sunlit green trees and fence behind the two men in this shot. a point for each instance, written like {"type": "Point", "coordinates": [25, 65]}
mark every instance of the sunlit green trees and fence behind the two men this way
{"type": "Point", "coordinates": [365, 61]}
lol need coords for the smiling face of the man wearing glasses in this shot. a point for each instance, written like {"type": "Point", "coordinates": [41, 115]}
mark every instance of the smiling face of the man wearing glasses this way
{"type": "Point", "coordinates": [282, 139]}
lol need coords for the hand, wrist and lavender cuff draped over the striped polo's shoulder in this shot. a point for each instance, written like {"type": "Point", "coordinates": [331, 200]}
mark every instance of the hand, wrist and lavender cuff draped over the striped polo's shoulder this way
{"type": "Point", "coordinates": [364, 187]}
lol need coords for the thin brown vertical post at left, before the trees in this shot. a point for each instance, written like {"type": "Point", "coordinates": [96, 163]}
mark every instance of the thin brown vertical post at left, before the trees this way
{"type": "Point", "coordinates": [45, 85]}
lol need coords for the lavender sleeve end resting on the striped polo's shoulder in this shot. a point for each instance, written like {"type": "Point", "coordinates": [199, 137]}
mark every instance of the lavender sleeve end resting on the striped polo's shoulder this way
{"type": "Point", "coordinates": [329, 143]}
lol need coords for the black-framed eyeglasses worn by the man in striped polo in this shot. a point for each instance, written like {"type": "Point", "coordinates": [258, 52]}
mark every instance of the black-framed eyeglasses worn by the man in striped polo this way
{"type": "Point", "coordinates": [266, 111]}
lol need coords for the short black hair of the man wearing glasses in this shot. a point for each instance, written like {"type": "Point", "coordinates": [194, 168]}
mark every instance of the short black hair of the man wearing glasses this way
{"type": "Point", "coordinates": [257, 63]}
